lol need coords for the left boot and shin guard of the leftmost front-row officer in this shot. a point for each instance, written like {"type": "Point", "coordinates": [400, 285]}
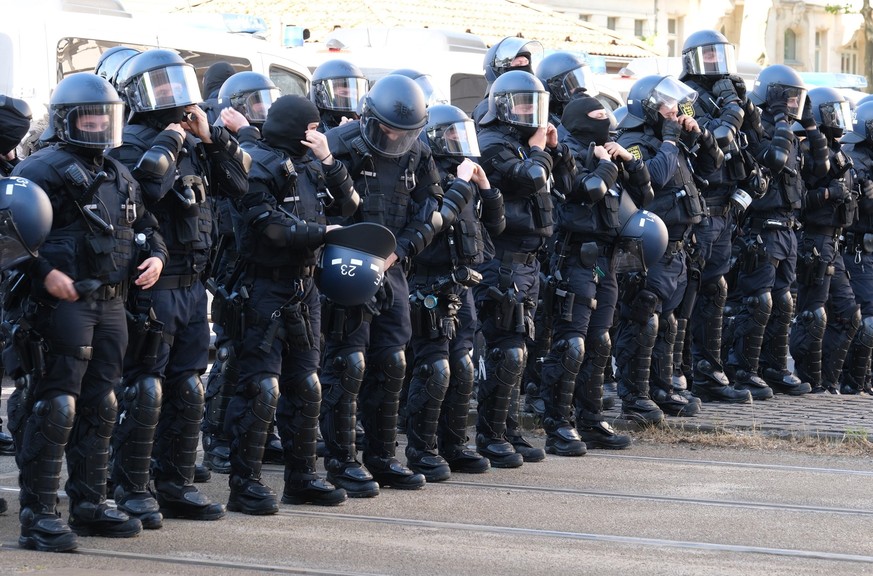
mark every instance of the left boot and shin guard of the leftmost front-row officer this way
{"type": "Point", "coordinates": [45, 432]}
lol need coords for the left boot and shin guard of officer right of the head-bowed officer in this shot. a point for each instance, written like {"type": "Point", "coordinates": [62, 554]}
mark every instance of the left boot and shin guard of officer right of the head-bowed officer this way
{"type": "Point", "coordinates": [427, 390]}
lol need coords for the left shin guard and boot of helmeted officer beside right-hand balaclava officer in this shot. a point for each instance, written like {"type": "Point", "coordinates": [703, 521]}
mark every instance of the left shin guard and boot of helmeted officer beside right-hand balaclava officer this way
{"type": "Point", "coordinates": [503, 369]}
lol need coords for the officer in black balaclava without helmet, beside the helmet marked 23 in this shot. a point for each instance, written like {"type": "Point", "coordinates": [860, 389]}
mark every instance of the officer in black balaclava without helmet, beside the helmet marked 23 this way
{"type": "Point", "coordinates": [283, 224]}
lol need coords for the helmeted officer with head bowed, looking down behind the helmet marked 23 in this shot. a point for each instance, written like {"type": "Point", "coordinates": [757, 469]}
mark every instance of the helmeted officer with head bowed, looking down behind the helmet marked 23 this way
{"type": "Point", "coordinates": [365, 345]}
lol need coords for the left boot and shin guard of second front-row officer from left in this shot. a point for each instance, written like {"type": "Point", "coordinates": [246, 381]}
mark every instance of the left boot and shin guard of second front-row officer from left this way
{"type": "Point", "coordinates": [132, 439]}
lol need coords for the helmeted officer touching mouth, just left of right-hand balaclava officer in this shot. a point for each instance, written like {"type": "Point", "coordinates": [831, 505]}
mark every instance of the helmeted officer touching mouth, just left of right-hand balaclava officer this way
{"type": "Point", "coordinates": [520, 154]}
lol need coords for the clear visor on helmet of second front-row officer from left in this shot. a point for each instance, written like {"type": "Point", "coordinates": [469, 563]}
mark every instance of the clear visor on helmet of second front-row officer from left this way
{"type": "Point", "coordinates": [169, 87]}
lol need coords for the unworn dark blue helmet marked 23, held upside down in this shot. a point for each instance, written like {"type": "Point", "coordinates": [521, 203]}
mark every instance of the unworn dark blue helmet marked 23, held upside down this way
{"type": "Point", "coordinates": [351, 264]}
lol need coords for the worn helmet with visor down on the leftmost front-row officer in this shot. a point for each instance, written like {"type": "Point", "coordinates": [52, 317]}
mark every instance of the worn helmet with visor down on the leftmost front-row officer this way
{"type": "Point", "coordinates": [85, 110]}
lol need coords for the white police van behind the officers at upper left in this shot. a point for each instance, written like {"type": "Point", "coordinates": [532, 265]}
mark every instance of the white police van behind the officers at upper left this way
{"type": "Point", "coordinates": [41, 42]}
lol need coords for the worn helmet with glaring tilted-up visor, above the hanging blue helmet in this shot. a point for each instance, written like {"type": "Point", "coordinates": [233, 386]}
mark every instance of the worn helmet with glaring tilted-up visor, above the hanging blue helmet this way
{"type": "Point", "coordinates": [649, 94]}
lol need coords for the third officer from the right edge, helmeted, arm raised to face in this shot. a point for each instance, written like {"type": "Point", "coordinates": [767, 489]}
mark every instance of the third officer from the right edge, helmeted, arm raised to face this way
{"type": "Point", "coordinates": [769, 245]}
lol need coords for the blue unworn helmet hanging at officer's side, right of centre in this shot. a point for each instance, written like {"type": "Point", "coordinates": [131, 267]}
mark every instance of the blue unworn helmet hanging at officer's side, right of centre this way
{"type": "Point", "coordinates": [642, 239]}
